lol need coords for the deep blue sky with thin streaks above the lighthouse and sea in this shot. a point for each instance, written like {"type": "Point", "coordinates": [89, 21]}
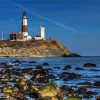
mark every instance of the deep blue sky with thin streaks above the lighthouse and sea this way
{"type": "Point", "coordinates": [75, 23]}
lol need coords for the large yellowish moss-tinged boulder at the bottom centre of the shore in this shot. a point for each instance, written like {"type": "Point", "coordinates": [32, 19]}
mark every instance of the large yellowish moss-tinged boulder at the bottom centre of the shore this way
{"type": "Point", "coordinates": [50, 91]}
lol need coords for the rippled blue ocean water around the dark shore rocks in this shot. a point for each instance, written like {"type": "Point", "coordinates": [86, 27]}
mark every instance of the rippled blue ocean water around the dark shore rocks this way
{"type": "Point", "coordinates": [91, 74]}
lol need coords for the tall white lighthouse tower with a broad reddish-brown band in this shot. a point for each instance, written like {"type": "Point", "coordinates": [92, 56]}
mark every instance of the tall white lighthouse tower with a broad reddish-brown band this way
{"type": "Point", "coordinates": [24, 26]}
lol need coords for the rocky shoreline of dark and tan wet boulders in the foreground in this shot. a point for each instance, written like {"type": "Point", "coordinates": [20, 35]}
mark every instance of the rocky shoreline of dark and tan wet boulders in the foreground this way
{"type": "Point", "coordinates": [23, 83]}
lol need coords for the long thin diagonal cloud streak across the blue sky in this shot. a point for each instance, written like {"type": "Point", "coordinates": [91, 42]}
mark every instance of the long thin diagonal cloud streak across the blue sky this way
{"type": "Point", "coordinates": [45, 18]}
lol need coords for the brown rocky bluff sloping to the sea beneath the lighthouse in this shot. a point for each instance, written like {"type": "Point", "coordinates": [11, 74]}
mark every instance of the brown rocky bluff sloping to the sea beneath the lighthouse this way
{"type": "Point", "coordinates": [43, 48]}
